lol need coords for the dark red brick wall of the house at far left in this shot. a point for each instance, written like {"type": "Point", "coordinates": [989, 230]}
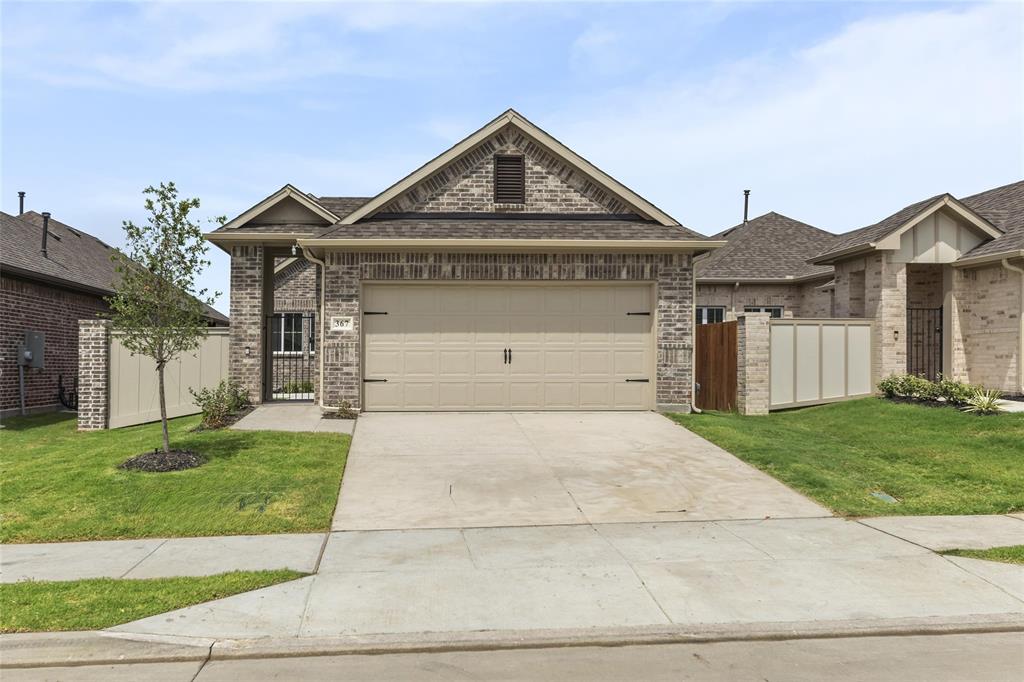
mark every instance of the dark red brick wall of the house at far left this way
{"type": "Point", "coordinates": [32, 307]}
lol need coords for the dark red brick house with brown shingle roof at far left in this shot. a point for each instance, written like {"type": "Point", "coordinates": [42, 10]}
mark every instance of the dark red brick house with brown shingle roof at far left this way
{"type": "Point", "coordinates": [52, 276]}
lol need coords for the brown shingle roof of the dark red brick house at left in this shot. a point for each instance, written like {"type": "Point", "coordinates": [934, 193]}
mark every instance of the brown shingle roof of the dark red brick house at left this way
{"type": "Point", "coordinates": [74, 260]}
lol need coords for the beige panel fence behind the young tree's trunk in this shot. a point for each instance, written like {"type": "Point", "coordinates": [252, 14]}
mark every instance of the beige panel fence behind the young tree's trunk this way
{"type": "Point", "coordinates": [133, 390]}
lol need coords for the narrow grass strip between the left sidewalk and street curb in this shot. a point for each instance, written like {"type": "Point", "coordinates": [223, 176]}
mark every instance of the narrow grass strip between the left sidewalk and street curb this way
{"type": "Point", "coordinates": [104, 603]}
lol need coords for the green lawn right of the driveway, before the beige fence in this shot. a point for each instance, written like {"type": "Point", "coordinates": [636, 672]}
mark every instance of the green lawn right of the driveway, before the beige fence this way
{"type": "Point", "coordinates": [932, 460]}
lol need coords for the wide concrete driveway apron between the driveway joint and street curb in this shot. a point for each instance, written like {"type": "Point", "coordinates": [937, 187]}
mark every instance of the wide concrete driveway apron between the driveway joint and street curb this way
{"type": "Point", "coordinates": [609, 576]}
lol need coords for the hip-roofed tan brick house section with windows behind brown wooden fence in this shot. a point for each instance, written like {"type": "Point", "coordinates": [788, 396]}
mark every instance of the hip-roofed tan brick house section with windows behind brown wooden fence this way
{"type": "Point", "coordinates": [763, 269]}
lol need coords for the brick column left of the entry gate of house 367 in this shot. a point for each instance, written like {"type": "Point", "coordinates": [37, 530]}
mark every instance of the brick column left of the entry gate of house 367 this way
{"type": "Point", "coordinates": [247, 319]}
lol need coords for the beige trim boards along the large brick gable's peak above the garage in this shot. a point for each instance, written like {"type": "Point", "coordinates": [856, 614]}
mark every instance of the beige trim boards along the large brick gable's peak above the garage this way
{"type": "Point", "coordinates": [514, 118]}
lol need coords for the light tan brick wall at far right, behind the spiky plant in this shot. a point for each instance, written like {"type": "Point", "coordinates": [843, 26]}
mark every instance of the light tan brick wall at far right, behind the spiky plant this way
{"type": "Point", "coordinates": [987, 327]}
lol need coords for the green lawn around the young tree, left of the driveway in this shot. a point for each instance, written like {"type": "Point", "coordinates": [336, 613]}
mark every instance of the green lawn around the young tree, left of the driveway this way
{"type": "Point", "coordinates": [59, 485]}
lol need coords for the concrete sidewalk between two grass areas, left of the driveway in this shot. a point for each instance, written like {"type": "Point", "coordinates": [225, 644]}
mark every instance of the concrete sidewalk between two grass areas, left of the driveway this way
{"type": "Point", "coordinates": [159, 558]}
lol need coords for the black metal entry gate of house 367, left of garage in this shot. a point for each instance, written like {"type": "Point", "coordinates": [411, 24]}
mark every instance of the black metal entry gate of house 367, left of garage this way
{"type": "Point", "coordinates": [290, 354]}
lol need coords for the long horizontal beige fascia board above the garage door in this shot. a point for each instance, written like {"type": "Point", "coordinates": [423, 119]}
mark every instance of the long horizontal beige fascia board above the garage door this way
{"type": "Point", "coordinates": [496, 246]}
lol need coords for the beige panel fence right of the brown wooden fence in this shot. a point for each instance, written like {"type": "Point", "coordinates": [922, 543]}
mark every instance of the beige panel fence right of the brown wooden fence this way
{"type": "Point", "coordinates": [819, 361]}
